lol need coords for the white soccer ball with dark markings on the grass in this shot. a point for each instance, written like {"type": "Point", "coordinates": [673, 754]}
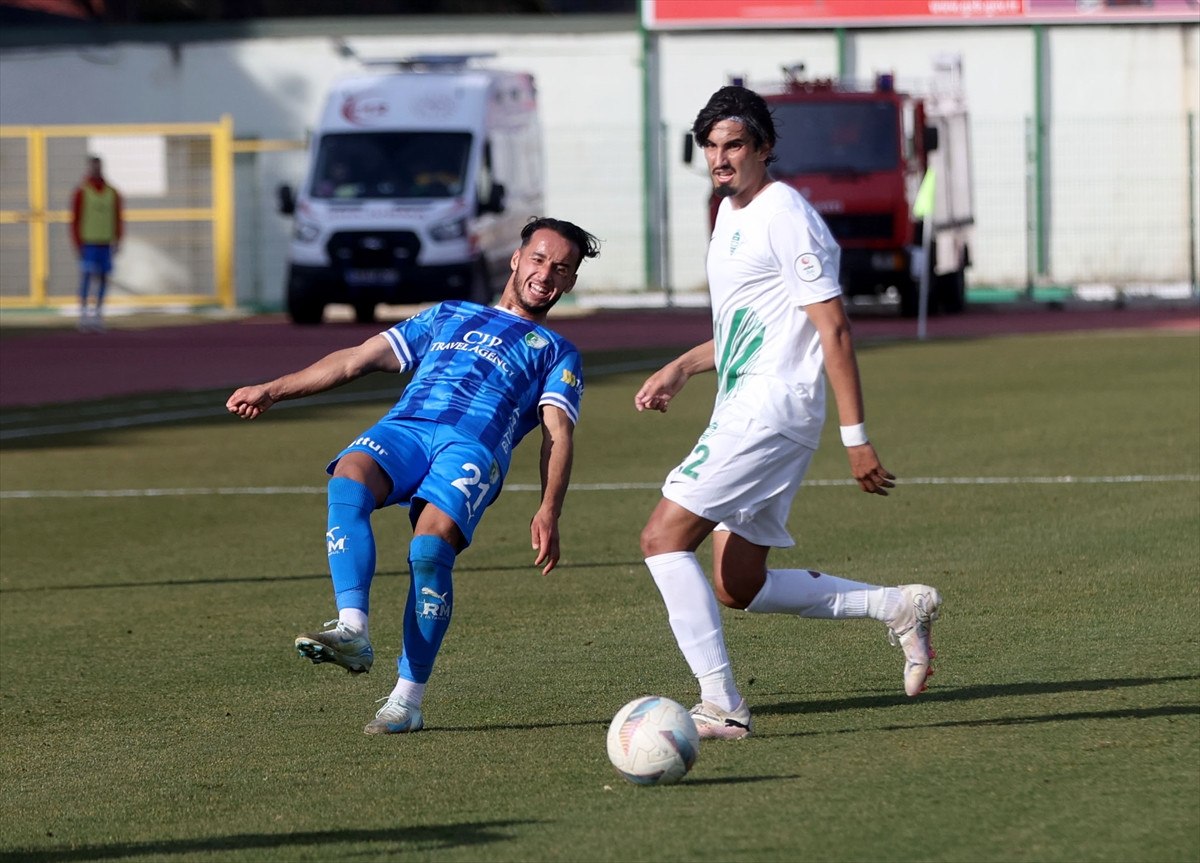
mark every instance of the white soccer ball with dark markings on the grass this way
{"type": "Point", "coordinates": [653, 741]}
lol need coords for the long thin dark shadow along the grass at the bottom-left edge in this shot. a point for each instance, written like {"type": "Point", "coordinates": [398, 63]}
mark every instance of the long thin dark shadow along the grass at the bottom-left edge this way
{"type": "Point", "coordinates": [429, 838]}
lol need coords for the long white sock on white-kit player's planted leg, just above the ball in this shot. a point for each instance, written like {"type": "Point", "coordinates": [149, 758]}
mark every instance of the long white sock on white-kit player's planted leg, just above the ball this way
{"type": "Point", "coordinates": [697, 624]}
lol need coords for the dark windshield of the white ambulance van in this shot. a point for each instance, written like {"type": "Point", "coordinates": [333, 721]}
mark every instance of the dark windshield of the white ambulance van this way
{"type": "Point", "coordinates": [392, 165]}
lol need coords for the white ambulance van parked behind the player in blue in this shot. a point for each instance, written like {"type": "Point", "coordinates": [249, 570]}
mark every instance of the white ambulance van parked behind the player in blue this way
{"type": "Point", "coordinates": [418, 187]}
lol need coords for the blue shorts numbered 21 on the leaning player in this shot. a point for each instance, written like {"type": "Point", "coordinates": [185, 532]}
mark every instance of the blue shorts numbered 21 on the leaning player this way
{"type": "Point", "coordinates": [430, 463]}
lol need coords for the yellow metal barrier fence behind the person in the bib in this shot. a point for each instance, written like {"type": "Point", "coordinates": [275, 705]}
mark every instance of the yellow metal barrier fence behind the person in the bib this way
{"type": "Point", "coordinates": [187, 226]}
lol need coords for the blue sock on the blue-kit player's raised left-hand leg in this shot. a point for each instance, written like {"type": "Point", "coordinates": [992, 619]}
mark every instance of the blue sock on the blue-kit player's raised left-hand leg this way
{"type": "Point", "coordinates": [351, 543]}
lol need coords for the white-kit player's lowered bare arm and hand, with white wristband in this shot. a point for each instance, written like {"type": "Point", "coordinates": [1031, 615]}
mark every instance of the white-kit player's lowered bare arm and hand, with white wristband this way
{"type": "Point", "coordinates": [842, 368]}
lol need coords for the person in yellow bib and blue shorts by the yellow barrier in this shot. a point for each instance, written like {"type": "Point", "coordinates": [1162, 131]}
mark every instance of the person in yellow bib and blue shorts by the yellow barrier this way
{"type": "Point", "coordinates": [97, 231]}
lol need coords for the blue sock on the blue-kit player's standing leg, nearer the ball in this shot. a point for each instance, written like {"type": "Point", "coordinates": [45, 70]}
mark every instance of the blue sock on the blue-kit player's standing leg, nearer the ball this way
{"type": "Point", "coordinates": [429, 606]}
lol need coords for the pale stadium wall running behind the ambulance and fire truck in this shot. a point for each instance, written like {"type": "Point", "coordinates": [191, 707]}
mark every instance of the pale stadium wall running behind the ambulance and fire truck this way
{"type": "Point", "coordinates": [1121, 110]}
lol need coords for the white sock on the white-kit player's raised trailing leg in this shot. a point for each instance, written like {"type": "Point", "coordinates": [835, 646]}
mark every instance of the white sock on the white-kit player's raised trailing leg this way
{"type": "Point", "coordinates": [809, 594]}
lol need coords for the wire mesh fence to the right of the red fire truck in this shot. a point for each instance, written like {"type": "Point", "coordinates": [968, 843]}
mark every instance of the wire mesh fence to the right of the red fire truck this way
{"type": "Point", "coordinates": [1088, 202]}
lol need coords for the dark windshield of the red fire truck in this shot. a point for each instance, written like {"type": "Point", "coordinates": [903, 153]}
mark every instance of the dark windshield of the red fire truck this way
{"type": "Point", "coordinates": [836, 137]}
